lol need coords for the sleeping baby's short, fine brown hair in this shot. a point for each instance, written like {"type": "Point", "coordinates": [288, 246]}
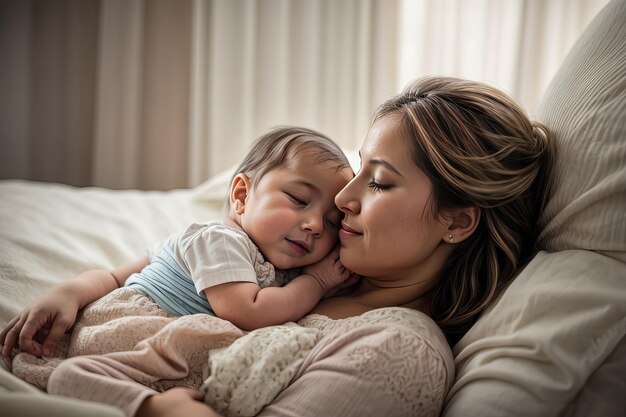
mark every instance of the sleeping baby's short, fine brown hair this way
{"type": "Point", "coordinates": [275, 147]}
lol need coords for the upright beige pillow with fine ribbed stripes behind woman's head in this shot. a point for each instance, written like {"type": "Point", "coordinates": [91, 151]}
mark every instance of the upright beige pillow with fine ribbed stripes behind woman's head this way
{"type": "Point", "coordinates": [585, 107]}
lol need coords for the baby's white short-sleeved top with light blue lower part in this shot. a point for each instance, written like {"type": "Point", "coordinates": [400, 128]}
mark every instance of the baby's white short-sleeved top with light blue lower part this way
{"type": "Point", "coordinates": [201, 257]}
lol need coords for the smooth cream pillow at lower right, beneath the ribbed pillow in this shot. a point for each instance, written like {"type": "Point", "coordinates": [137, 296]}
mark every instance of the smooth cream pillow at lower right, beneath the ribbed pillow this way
{"type": "Point", "coordinates": [532, 352]}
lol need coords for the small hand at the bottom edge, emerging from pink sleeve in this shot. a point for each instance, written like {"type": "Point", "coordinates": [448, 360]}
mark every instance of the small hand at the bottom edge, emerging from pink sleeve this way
{"type": "Point", "coordinates": [176, 402]}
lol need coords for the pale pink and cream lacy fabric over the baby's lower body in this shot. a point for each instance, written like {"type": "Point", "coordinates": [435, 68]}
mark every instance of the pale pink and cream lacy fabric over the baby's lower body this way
{"type": "Point", "coordinates": [240, 372]}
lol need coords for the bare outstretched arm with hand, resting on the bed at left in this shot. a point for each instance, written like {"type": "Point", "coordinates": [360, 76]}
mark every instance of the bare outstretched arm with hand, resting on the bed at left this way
{"type": "Point", "coordinates": [40, 326]}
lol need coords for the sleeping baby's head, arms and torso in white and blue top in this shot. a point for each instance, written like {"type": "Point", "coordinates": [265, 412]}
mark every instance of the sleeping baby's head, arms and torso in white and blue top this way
{"type": "Point", "coordinates": [269, 262]}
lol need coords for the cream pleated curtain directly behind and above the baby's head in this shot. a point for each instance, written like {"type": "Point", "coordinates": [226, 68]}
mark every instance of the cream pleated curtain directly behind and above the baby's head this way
{"type": "Point", "coordinates": [320, 64]}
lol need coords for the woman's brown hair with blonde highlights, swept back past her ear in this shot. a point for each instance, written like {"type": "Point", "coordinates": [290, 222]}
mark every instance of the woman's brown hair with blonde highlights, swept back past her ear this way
{"type": "Point", "coordinates": [478, 148]}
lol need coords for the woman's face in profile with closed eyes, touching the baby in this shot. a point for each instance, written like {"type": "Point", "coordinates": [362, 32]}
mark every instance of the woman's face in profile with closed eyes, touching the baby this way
{"type": "Point", "coordinates": [388, 231]}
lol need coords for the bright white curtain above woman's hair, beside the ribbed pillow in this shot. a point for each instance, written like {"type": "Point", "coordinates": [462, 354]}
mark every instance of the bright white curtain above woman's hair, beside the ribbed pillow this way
{"type": "Point", "coordinates": [516, 45]}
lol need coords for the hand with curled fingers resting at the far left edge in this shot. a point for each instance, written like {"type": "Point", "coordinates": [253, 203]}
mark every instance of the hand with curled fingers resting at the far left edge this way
{"type": "Point", "coordinates": [38, 329]}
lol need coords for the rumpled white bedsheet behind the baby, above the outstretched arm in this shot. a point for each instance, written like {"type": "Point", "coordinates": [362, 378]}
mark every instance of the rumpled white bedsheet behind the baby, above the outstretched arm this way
{"type": "Point", "coordinates": [51, 232]}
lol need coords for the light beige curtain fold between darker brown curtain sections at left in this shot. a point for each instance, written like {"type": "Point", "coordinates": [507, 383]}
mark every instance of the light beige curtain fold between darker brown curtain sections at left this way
{"type": "Point", "coordinates": [116, 152]}
